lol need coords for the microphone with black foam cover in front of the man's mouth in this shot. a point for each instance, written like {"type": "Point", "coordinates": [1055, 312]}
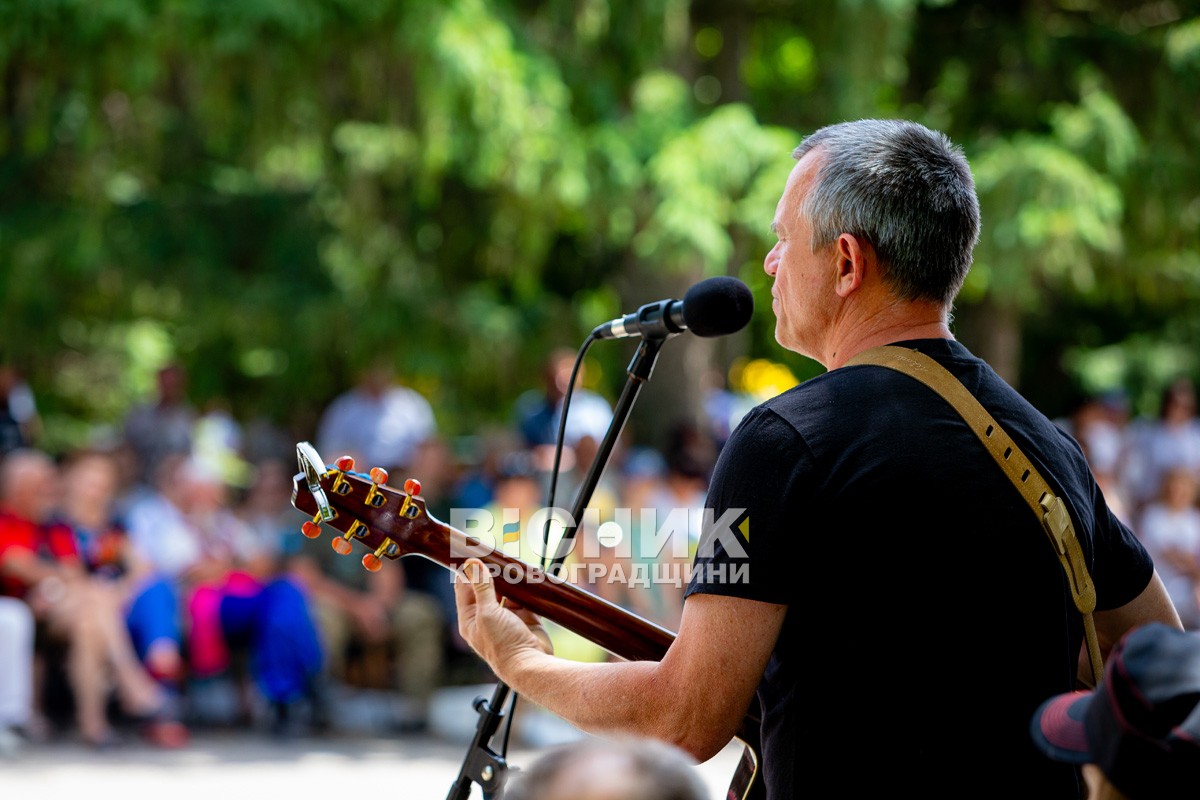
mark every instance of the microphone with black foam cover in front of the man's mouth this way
{"type": "Point", "coordinates": [713, 308]}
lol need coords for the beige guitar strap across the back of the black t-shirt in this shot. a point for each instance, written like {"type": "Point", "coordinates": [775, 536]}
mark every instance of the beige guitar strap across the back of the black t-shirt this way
{"type": "Point", "coordinates": [1051, 510]}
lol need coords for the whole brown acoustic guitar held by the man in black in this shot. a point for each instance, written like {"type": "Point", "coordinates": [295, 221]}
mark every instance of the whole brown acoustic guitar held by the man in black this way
{"type": "Point", "coordinates": [392, 525]}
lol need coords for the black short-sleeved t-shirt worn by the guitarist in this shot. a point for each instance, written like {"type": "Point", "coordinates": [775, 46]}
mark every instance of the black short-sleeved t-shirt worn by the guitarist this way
{"type": "Point", "coordinates": [928, 613]}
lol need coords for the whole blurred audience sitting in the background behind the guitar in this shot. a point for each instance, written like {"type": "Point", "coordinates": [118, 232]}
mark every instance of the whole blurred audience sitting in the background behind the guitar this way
{"type": "Point", "coordinates": [139, 573]}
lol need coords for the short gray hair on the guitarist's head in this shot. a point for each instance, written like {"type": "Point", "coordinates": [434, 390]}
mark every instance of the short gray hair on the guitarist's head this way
{"type": "Point", "coordinates": [905, 190]}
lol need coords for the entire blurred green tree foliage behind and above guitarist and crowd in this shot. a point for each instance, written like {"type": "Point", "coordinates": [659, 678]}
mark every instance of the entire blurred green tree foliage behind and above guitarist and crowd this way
{"type": "Point", "coordinates": [278, 193]}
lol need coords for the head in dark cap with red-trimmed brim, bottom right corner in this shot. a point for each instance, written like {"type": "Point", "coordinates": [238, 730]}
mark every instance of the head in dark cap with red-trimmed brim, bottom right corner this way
{"type": "Point", "coordinates": [1138, 735]}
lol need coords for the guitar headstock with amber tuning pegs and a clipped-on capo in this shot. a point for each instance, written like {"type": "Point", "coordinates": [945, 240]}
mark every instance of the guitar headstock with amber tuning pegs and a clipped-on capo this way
{"type": "Point", "coordinates": [361, 507]}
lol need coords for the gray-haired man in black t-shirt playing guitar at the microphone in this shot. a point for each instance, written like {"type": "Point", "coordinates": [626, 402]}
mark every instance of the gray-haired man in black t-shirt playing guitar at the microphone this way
{"type": "Point", "coordinates": [874, 563]}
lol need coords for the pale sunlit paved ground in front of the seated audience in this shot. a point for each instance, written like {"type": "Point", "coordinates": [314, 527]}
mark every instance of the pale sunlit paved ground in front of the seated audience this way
{"type": "Point", "coordinates": [346, 766]}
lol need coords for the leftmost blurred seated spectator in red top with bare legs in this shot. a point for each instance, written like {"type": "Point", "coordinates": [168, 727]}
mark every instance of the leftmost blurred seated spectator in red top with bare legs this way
{"type": "Point", "coordinates": [73, 607]}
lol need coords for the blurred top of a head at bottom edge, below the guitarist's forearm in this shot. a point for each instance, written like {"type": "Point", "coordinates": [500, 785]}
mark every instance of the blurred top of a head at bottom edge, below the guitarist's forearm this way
{"type": "Point", "coordinates": [599, 769]}
